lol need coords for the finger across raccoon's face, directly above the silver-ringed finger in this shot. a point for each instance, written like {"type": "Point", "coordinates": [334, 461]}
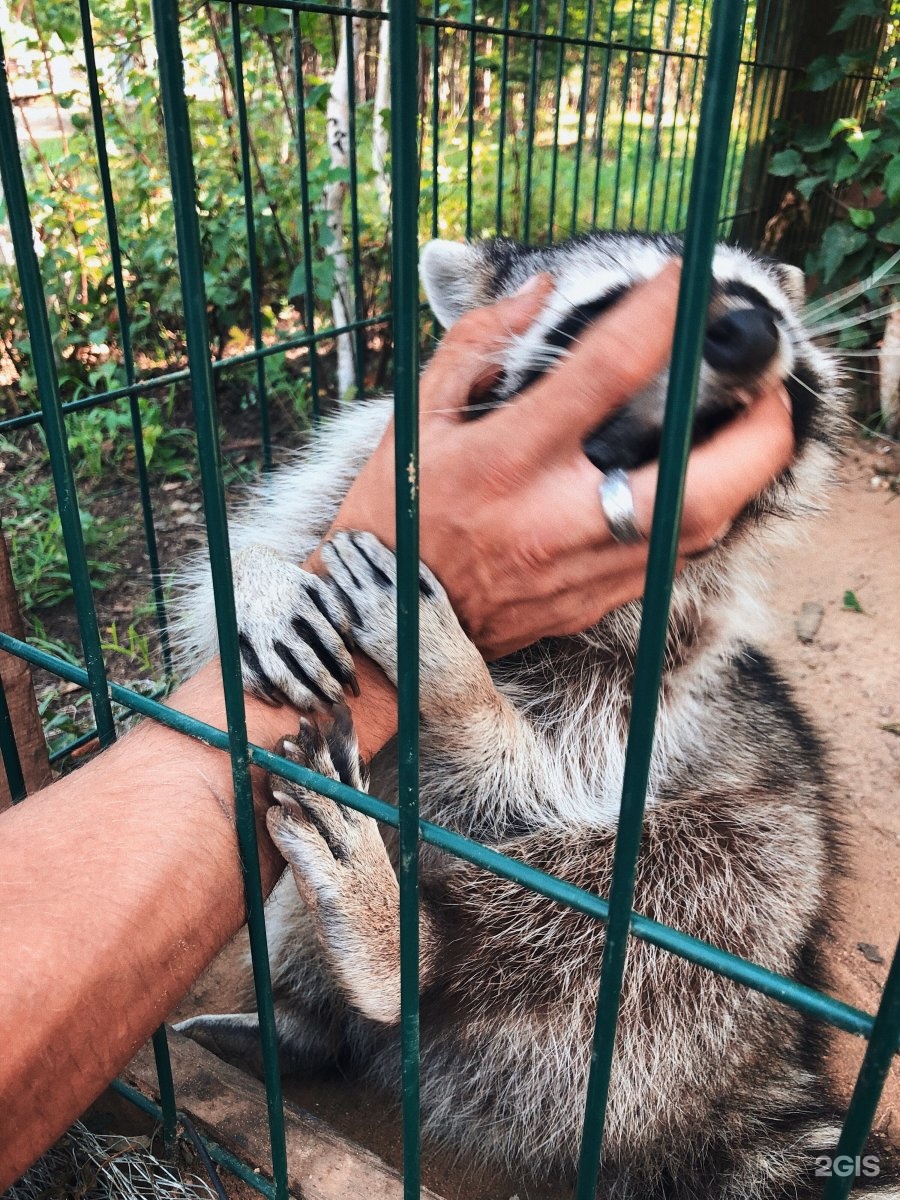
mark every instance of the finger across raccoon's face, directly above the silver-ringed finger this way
{"type": "Point", "coordinates": [621, 353]}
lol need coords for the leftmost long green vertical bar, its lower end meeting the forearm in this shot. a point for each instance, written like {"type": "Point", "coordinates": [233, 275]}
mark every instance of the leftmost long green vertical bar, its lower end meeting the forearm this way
{"type": "Point", "coordinates": [45, 363]}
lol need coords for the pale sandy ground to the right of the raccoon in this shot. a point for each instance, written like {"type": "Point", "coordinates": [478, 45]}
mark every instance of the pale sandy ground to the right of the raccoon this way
{"type": "Point", "coordinates": [849, 680]}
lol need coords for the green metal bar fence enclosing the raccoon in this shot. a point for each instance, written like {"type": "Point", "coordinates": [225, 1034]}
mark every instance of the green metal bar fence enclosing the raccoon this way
{"type": "Point", "coordinates": [541, 187]}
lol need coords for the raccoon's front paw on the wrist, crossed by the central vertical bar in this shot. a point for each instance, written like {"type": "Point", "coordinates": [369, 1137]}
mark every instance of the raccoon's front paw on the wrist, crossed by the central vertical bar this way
{"type": "Point", "coordinates": [364, 575]}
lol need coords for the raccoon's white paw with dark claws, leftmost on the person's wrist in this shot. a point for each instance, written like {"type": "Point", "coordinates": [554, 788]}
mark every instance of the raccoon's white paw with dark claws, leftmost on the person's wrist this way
{"type": "Point", "coordinates": [293, 633]}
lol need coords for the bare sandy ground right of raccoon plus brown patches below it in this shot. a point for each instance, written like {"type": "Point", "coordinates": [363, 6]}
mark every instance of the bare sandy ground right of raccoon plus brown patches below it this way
{"type": "Point", "coordinates": [849, 680]}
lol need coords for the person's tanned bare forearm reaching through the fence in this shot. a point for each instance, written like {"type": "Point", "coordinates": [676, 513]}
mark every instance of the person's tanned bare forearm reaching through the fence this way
{"type": "Point", "coordinates": [142, 887]}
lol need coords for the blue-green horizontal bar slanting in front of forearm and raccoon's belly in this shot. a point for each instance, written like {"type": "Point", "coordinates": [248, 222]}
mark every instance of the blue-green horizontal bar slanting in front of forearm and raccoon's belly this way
{"type": "Point", "coordinates": [781, 988]}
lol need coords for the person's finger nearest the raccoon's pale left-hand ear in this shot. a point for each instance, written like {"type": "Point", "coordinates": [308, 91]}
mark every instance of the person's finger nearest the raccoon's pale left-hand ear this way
{"type": "Point", "coordinates": [470, 358]}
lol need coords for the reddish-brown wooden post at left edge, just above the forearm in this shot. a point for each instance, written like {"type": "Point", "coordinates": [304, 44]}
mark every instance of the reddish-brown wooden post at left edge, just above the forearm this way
{"type": "Point", "coordinates": [16, 677]}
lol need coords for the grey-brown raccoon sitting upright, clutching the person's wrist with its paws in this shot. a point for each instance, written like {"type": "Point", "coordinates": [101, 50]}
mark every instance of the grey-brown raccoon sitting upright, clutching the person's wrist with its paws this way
{"type": "Point", "coordinates": [717, 1093]}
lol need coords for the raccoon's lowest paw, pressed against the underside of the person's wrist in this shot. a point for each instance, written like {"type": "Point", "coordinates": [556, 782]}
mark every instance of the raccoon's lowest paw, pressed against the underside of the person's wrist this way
{"type": "Point", "coordinates": [321, 839]}
